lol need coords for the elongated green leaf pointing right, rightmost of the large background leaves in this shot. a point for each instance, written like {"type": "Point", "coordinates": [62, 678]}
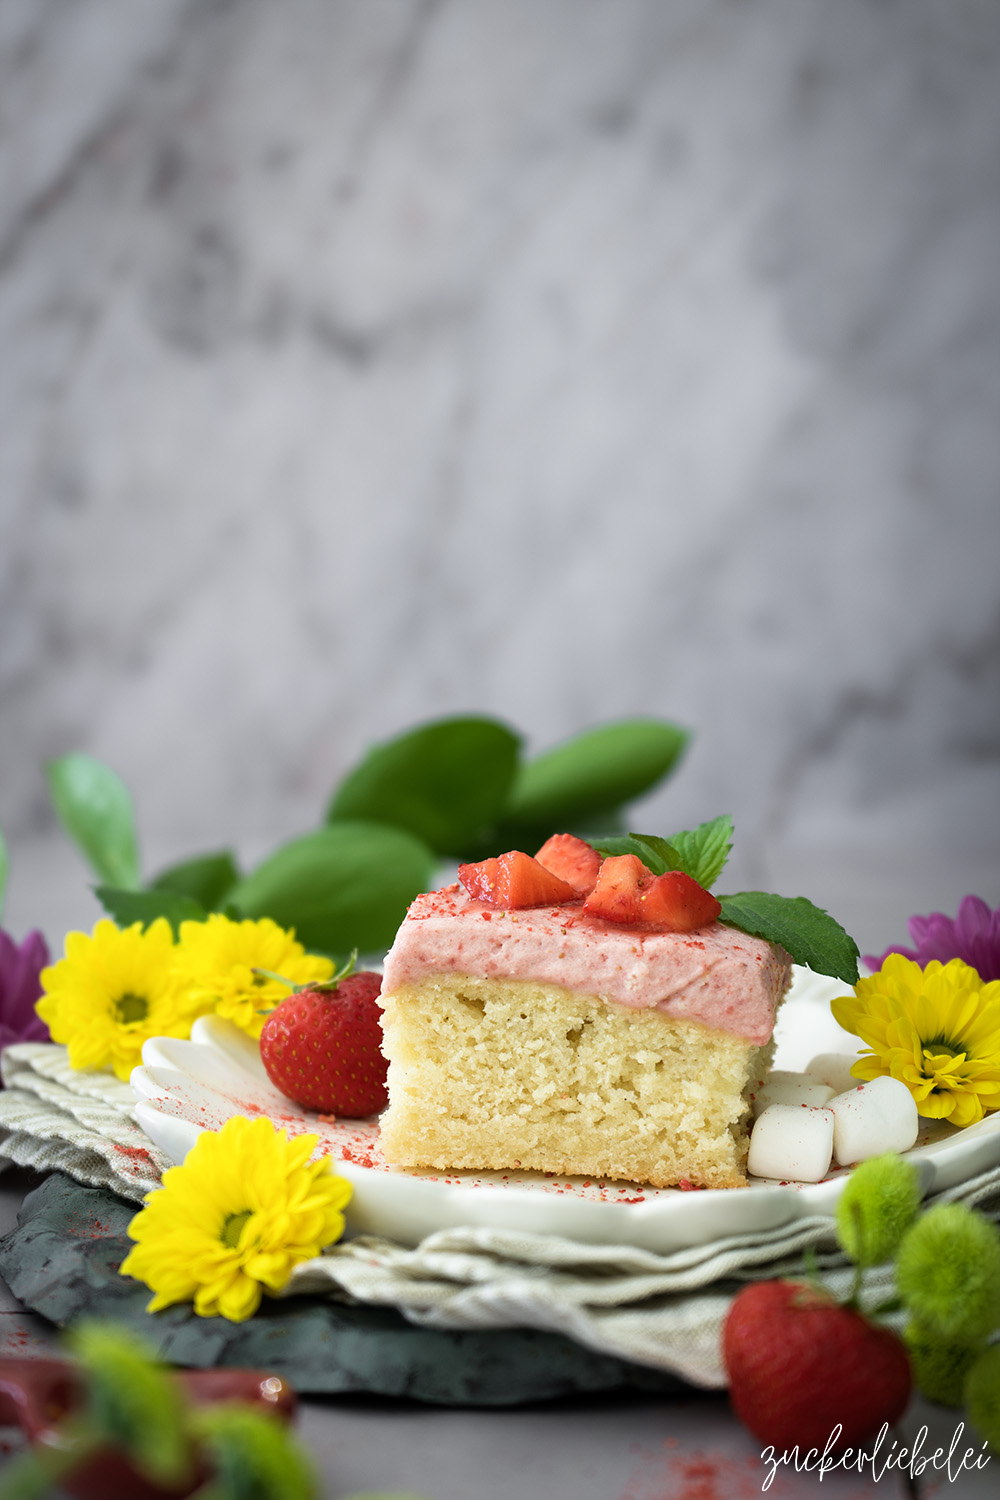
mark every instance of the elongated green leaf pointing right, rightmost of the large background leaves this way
{"type": "Point", "coordinates": [582, 782]}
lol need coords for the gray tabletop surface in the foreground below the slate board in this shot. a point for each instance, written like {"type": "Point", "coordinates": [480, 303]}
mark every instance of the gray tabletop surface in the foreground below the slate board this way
{"type": "Point", "coordinates": [621, 1448]}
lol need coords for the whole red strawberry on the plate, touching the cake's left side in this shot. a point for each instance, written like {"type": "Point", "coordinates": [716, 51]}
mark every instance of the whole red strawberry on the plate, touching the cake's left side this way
{"type": "Point", "coordinates": [323, 1046]}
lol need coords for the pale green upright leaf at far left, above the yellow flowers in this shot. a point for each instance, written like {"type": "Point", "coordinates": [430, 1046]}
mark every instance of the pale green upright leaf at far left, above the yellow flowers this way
{"type": "Point", "coordinates": [95, 808]}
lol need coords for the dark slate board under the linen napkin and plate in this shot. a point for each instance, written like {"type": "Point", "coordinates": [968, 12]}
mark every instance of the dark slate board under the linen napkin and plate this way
{"type": "Point", "coordinates": [64, 1262]}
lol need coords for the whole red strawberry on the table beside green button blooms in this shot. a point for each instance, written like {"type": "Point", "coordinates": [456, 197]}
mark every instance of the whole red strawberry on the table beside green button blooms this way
{"type": "Point", "coordinates": [800, 1366]}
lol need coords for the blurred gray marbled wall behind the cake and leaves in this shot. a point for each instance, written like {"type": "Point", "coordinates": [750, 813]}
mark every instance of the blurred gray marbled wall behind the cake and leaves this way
{"type": "Point", "coordinates": [365, 361]}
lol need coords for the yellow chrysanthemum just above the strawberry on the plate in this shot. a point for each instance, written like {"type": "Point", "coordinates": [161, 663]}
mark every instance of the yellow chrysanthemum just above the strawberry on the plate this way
{"type": "Point", "coordinates": [215, 962]}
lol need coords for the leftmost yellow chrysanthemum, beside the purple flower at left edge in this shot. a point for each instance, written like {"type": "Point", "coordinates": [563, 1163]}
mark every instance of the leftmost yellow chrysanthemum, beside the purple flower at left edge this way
{"type": "Point", "coordinates": [112, 992]}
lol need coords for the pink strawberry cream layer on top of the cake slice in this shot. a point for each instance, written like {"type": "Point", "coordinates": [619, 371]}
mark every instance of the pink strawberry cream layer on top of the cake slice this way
{"type": "Point", "coordinates": [716, 976]}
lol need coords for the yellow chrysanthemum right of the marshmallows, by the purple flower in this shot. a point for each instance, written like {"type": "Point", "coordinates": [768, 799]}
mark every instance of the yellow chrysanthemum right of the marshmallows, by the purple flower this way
{"type": "Point", "coordinates": [936, 1030]}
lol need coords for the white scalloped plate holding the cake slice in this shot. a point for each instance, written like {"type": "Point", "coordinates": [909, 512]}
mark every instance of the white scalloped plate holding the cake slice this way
{"type": "Point", "coordinates": [188, 1087]}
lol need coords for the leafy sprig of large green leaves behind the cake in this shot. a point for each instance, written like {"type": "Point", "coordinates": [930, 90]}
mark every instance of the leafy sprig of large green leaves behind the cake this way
{"type": "Point", "coordinates": [454, 788]}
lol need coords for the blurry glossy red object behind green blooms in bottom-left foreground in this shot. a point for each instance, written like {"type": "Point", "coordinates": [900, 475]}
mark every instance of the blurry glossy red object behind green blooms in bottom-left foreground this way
{"type": "Point", "coordinates": [37, 1394]}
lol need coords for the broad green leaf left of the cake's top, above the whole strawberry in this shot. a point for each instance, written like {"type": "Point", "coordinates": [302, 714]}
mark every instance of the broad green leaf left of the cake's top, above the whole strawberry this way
{"type": "Point", "coordinates": [344, 887]}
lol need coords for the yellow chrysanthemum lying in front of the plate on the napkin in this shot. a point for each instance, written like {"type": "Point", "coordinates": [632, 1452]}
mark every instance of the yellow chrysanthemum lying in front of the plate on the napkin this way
{"type": "Point", "coordinates": [235, 1220]}
